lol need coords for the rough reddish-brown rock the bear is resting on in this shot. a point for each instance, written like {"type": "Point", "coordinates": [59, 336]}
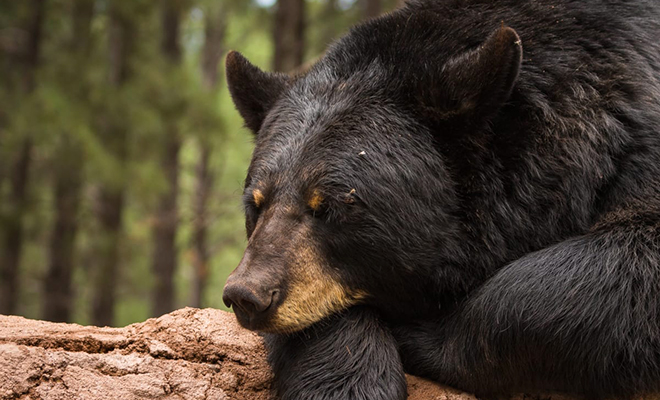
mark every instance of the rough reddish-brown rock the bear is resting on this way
{"type": "Point", "coordinates": [189, 354]}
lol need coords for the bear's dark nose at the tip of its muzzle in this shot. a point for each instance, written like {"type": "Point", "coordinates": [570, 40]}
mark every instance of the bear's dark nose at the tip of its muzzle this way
{"type": "Point", "coordinates": [246, 300]}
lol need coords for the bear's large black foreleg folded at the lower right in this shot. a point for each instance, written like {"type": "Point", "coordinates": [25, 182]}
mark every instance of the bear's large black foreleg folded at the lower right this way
{"type": "Point", "coordinates": [582, 316]}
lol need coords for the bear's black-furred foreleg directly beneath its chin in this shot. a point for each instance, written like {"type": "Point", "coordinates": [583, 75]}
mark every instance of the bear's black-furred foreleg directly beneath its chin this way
{"type": "Point", "coordinates": [351, 356]}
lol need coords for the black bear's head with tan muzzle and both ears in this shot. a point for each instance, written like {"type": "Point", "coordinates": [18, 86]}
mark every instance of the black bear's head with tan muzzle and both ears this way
{"type": "Point", "coordinates": [348, 199]}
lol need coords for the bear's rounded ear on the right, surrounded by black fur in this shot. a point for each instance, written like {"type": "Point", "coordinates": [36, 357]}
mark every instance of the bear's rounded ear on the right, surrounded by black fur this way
{"type": "Point", "coordinates": [474, 85]}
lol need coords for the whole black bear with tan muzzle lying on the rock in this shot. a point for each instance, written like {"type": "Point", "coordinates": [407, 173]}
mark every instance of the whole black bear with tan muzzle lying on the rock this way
{"type": "Point", "coordinates": [466, 190]}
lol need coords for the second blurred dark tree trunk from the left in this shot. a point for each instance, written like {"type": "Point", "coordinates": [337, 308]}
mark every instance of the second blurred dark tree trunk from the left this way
{"type": "Point", "coordinates": [58, 296]}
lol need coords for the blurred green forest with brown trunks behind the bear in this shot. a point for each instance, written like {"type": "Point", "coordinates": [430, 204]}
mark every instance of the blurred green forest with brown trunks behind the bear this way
{"type": "Point", "coordinates": [121, 156]}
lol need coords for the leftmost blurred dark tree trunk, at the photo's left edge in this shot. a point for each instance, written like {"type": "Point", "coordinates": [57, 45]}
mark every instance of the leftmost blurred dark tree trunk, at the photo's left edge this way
{"type": "Point", "coordinates": [19, 171]}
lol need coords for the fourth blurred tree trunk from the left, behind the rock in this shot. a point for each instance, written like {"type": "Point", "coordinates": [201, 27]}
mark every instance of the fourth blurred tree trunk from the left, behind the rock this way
{"type": "Point", "coordinates": [165, 227]}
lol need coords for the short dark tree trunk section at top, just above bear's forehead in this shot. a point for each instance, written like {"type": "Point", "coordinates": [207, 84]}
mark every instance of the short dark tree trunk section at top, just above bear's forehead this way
{"type": "Point", "coordinates": [289, 35]}
